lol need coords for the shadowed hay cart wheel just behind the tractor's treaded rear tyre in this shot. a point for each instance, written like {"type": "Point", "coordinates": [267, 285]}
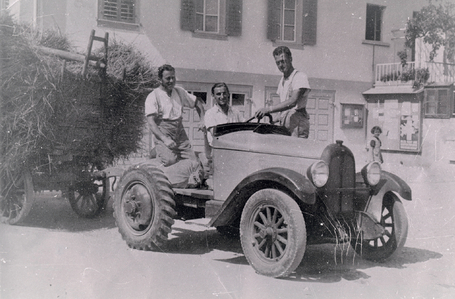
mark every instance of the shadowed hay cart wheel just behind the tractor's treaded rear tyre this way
{"type": "Point", "coordinates": [87, 198]}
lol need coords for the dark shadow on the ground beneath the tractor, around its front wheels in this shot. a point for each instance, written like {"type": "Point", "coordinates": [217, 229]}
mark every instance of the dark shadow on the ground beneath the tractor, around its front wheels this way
{"type": "Point", "coordinates": [325, 263]}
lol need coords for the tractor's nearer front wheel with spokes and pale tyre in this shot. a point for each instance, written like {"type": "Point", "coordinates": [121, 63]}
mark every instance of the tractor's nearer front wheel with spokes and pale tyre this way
{"type": "Point", "coordinates": [273, 233]}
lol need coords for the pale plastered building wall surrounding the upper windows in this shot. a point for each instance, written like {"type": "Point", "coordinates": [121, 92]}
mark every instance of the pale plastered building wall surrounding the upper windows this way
{"type": "Point", "coordinates": [340, 62]}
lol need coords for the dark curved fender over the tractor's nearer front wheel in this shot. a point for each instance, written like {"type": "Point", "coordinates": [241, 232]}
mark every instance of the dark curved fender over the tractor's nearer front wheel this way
{"type": "Point", "coordinates": [278, 178]}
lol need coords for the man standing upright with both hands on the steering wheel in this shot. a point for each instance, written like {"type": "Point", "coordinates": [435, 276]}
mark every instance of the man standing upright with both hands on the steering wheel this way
{"type": "Point", "coordinates": [293, 90]}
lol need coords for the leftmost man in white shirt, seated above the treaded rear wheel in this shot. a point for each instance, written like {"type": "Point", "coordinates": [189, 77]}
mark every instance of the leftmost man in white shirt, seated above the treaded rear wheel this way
{"type": "Point", "coordinates": [163, 109]}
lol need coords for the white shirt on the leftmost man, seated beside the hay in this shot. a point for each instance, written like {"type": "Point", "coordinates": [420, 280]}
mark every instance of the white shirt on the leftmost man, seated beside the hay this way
{"type": "Point", "coordinates": [158, 103]}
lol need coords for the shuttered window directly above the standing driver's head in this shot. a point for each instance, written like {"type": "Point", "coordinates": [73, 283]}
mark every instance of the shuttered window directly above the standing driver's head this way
{"type": "Point", "coordinates": [292, 22]}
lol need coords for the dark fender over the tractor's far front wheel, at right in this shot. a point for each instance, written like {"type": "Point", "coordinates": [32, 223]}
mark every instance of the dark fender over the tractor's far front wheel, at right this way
{"type": "Point", "coordinates": [392, 184]}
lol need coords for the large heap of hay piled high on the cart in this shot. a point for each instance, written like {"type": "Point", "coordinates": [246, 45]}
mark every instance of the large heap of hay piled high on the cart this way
{"type": "Point", "coordinates": [47, 108]}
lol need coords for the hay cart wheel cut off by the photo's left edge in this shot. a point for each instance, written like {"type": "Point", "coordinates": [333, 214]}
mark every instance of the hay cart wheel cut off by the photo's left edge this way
{"type": "Point", "coordinates": [16, 199]}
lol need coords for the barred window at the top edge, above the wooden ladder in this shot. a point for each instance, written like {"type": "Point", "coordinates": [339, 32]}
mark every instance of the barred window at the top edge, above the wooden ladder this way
{"type": "Point", "coordinates": [118, 13]}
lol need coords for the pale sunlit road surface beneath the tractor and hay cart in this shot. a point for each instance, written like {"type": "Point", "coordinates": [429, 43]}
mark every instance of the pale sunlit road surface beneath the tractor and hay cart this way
{"type": "Point", "coordinates": [55, 254]}
